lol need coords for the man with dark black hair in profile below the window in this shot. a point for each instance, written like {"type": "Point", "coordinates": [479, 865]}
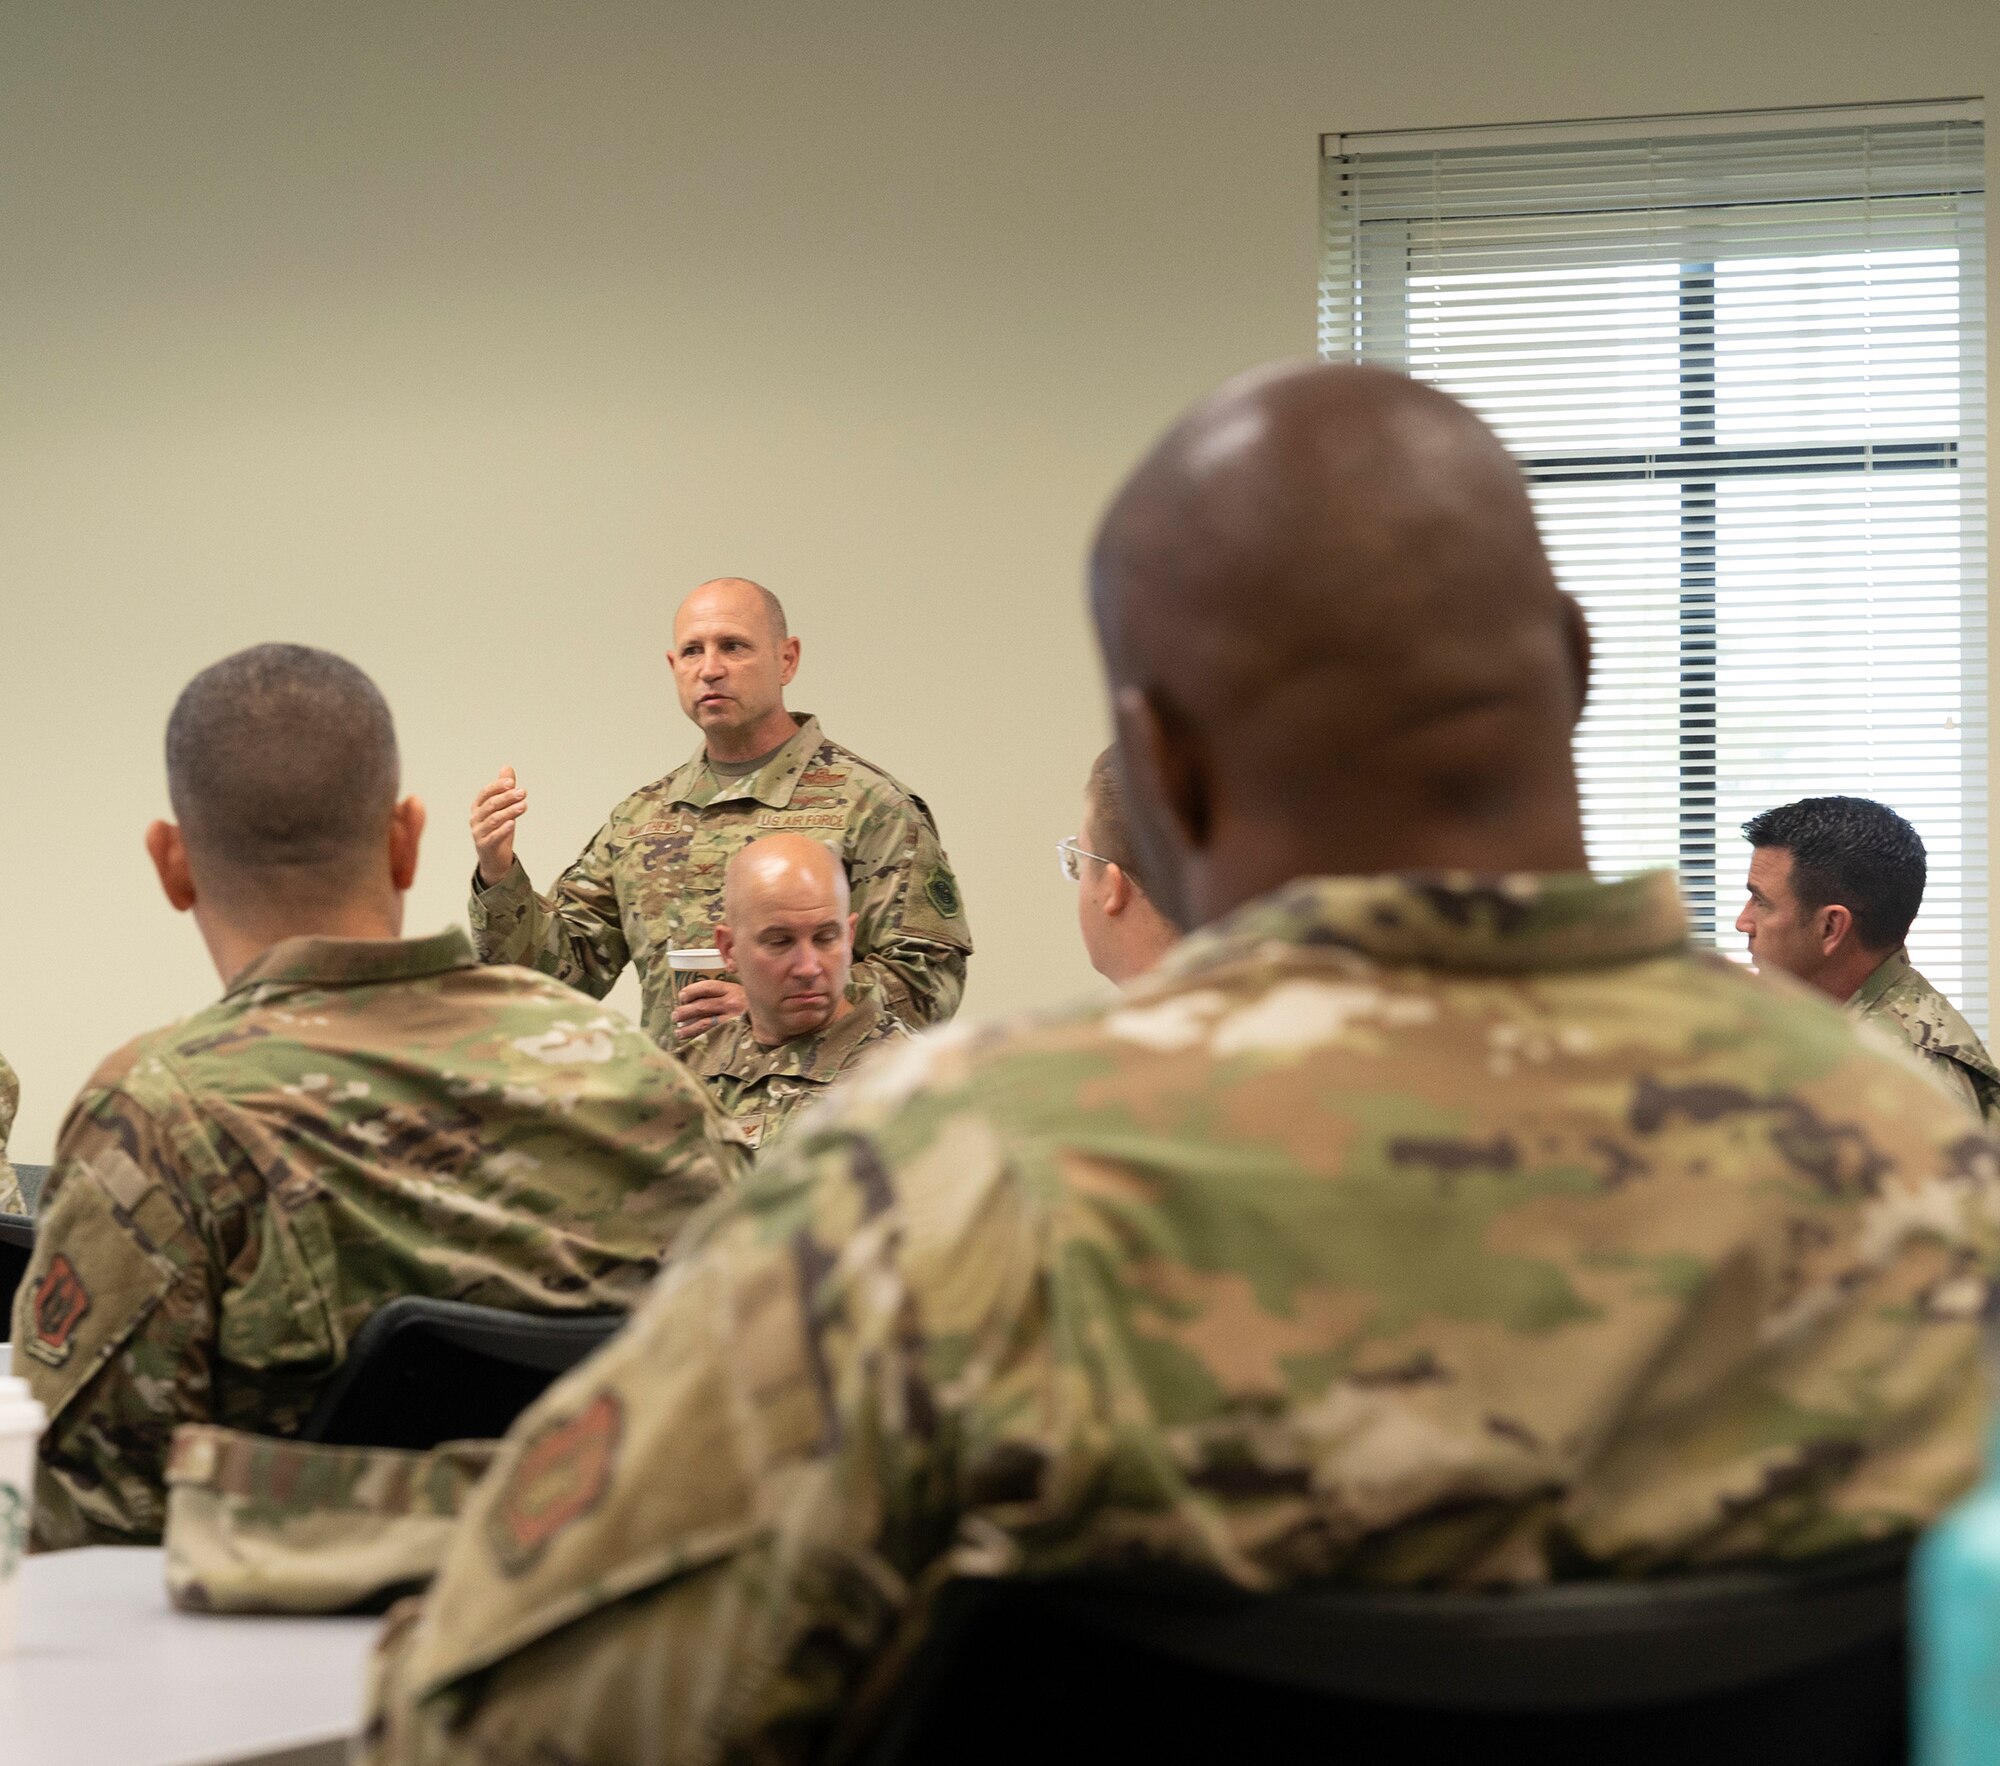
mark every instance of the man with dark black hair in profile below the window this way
{"type": "Point", "coordinates": [1835, 885]}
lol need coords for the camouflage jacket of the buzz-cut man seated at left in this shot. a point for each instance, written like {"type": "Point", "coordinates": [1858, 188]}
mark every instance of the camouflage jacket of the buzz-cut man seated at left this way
{"type": "Point", "coordinates": [353, 1121]}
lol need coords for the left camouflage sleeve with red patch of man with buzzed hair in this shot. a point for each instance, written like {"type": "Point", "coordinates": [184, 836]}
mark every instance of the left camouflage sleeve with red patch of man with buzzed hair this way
{"type": "Point", "coordinates": [115, 1325]}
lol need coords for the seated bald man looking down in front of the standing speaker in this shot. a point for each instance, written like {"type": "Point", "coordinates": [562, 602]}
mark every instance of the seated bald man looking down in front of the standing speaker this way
{"type": "Point", "coordinates": [789, 935]}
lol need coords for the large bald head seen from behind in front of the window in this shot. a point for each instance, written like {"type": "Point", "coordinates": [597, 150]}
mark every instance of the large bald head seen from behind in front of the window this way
{"type": "Point", "coordinates": [1335, 643]}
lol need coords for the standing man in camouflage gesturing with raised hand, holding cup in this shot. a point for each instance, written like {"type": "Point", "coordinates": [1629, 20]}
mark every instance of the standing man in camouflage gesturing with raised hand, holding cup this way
{"type": "Point", "coordinates": [651, 879]}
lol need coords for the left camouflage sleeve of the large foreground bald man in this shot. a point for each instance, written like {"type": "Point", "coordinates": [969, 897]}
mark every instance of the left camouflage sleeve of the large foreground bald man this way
{"type": "Point", "coordinates": [593, 1611]}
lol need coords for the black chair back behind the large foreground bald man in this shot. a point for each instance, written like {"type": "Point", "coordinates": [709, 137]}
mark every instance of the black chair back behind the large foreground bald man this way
{"type": "Point", "coordinates": [1771, 1667]}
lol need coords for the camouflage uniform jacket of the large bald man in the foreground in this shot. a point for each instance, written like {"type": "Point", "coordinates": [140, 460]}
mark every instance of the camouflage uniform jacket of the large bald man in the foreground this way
{"type": "Point", "coordinates": [1415, 1231]}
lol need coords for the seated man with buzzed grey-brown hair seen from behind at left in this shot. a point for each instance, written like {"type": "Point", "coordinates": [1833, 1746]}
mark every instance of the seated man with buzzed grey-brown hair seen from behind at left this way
{"type": "Point", "coordinates": [359, 1117]}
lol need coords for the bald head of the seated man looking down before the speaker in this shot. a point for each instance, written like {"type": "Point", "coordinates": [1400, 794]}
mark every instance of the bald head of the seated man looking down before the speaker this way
{"type": "Point", "coordinates": [789, 935]}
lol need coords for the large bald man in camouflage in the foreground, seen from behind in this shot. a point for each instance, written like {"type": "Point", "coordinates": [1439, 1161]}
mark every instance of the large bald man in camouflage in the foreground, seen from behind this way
{"type": "Point", "coordinates": [1433, 1215]}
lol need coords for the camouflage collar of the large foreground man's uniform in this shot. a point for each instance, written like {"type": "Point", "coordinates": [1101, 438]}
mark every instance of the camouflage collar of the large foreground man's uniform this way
{"type": "Point", "coordinates": [1453, 921]}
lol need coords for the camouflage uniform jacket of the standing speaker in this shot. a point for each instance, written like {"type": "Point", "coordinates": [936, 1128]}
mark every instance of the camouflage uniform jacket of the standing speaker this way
{"type": "Point", "coordinates": [651, 883]}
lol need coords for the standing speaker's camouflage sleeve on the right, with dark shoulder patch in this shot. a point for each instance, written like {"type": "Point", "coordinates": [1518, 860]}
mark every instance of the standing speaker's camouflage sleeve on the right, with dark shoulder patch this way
{"type": "Point", "coordinates": [913, 939]}
